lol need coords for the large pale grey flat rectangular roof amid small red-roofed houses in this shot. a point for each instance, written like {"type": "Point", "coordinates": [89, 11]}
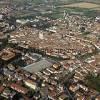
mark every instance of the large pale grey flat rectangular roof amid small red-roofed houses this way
{"type": "Point", "coordinates": [38, 66]}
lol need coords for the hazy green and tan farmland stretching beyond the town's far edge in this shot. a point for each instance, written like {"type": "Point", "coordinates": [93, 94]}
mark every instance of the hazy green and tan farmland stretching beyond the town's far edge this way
{"type": "Point", "coordinates": [31, 8]}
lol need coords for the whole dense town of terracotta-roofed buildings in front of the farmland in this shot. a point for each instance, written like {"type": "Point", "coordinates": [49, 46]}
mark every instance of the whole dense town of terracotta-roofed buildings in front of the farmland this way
{"type": "Point", "coordinates": [50, 59]}
